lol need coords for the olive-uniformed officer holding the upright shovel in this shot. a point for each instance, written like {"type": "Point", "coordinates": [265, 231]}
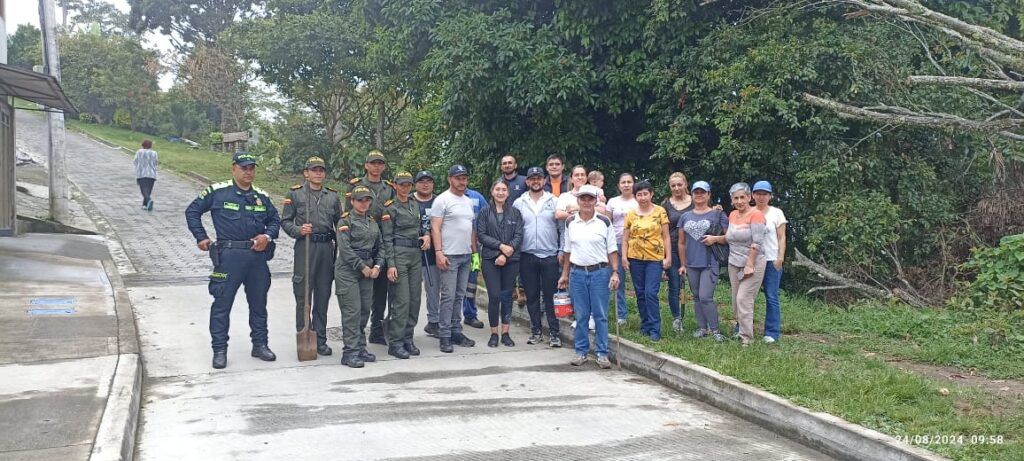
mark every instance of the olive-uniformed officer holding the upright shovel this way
{"type": "Point", "coordinates": [323, 207]}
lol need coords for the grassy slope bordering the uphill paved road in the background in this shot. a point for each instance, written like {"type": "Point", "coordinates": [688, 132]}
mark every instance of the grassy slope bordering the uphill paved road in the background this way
{"type": "Point", "coordinates": [183, 159]}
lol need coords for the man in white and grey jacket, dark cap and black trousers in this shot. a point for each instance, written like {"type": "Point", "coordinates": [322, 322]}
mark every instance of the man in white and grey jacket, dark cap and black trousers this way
{"type": "Point", "coordinates": [539, 263]}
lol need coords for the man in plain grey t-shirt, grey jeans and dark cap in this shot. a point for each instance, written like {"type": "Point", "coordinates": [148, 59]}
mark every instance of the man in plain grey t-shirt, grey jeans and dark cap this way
{"type": "Point", "coordinates": [452, 231]}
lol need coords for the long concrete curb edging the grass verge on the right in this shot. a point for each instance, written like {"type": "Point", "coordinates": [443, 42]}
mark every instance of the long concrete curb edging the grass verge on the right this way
{"type": "Point", "coordinates": [827, 434]}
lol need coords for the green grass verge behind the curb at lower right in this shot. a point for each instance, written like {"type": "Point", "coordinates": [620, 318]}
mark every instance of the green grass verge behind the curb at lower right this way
{"type": "Point", "coordinates": [838, 361]}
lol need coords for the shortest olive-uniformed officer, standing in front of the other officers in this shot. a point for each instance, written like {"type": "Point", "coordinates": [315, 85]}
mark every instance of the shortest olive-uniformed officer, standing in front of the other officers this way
{"type": "Point", "coordinates": [360, 264]}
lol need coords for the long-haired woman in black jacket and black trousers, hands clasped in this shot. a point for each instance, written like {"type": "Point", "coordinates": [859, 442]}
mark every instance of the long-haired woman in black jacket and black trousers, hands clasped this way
{"type": "Point", "coordinates": [499, 230]}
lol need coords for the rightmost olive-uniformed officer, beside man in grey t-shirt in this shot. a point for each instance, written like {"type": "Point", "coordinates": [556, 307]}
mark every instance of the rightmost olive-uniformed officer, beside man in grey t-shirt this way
{"type": "Point", "coordinates": [404, 243]}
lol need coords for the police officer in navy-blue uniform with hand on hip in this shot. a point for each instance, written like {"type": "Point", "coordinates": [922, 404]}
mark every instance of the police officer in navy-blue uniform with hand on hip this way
{"type": "Point", "coordinates": [247, 224]}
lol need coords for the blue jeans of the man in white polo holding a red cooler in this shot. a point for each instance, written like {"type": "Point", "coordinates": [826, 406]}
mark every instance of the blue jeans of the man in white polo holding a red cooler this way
{"type": "Point", "coordinates": [590, 298]}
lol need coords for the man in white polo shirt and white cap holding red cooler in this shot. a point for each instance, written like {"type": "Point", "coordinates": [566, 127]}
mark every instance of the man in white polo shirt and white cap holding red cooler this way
{"type": "Point", "coordinates": [590, 270]}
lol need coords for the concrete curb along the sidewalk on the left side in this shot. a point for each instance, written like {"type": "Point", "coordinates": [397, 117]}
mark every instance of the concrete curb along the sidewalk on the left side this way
{"type": "Point", "coordinates": [116, 436]}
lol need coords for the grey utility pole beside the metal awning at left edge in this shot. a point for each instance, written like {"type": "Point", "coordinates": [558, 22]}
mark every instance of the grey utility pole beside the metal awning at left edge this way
{"type": "Point", "coordinates": [55, 120]}
